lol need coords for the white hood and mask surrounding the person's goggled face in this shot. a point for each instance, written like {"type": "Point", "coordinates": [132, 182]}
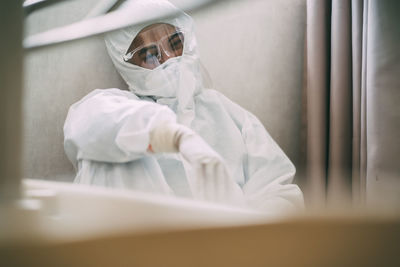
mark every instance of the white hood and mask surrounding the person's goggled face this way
{"type": "Point", "coordinates": [181, 76]}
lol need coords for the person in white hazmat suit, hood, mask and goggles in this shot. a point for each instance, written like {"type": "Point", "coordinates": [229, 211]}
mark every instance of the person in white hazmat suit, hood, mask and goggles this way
{"type": "Point", "coordinates": [171, 134]}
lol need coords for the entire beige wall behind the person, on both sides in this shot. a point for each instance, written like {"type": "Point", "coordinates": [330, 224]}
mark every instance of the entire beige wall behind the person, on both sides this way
{"type": "Point", "coordinates": [252, 49]}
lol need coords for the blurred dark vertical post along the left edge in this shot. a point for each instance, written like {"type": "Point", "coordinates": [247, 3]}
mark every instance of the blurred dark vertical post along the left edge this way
{"type": "Point", "coordinates": [11, 23]}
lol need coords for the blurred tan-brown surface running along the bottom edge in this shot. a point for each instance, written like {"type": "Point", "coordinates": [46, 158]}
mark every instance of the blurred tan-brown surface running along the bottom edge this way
{"type": "Point", "coordinates": [336, 242]}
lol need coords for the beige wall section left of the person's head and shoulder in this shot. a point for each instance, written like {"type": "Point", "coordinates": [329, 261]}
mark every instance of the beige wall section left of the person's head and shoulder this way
{"type": "Point", "coordinates": [56, 77]}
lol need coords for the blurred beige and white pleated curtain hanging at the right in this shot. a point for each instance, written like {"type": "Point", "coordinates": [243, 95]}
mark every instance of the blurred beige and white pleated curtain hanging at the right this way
{"type": "Point", "coordinates": [351, 103]}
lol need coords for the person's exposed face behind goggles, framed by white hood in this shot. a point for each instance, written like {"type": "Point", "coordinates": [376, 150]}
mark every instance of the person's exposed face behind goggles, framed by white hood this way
{"type": "Point", "coordinates": [154, 45]}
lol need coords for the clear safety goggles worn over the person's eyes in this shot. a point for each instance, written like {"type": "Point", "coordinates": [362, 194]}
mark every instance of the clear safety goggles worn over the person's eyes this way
{"type": "Point", "coordinates": [151, 55]}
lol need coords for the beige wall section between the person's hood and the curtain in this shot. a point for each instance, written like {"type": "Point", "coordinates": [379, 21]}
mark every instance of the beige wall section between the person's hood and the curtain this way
{"type": "Point", "coordinates": [254, 53]}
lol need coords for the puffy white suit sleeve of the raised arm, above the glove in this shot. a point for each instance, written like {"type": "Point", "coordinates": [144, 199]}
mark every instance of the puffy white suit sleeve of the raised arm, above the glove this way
{"type": "Point", "coordinates": [111, 125]}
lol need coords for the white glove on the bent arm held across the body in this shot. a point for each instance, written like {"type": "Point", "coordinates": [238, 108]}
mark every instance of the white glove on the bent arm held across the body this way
{"type": "Point", "coordinates": [208, 175]}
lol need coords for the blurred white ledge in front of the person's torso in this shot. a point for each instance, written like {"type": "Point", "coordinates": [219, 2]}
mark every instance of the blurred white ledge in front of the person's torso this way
{"type": "Point", "coordinates": [53, 211]}
